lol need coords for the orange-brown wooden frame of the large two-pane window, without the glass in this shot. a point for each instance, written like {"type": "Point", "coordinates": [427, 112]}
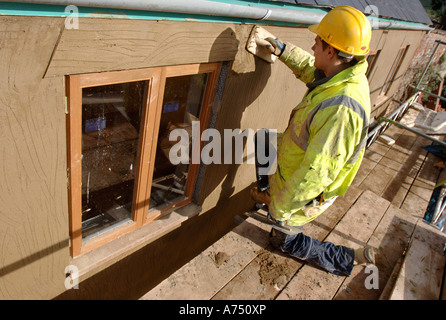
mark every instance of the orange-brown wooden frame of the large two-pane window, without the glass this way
{"type": "Point", "coordinates": [151, 115]}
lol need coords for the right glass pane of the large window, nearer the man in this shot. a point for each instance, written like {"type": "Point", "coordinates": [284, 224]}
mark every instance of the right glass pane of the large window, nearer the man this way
{"type": "Point", "coordinates": [182, 104]}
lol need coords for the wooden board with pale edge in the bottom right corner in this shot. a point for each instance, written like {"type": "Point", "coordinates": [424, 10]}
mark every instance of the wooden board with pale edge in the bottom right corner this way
{"type": "Point", "coordinates": [421, 274]}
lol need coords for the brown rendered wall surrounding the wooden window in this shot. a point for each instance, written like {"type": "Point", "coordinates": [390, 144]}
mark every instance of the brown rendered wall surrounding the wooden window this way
{"type": "Point", "coordinates": [36, 53]}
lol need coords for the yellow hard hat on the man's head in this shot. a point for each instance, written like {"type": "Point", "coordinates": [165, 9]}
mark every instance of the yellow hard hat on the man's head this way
{"type": "Point", "coordinates": [346, 29]}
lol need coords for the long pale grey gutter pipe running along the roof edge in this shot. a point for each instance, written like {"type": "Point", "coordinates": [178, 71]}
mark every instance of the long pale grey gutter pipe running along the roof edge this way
{"type": "Point", "coordinates": [210, 8]}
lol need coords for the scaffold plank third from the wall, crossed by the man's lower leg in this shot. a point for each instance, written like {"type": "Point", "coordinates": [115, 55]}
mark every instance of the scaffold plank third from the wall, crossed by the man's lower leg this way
{"type": "Point", "coordinates": [354, 230]}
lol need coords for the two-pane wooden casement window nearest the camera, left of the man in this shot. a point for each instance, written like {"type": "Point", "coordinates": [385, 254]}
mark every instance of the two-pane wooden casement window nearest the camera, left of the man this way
{"type": "Point", "coordinates": [118, 124]}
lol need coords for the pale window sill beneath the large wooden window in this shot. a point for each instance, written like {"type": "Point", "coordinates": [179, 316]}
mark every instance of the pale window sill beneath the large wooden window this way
{"type": "Point", "coordinates": [98, 259]}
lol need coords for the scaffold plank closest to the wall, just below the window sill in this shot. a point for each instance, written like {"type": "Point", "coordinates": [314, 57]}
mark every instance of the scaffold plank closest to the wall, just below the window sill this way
{"type": "Point", "coordinates": [207, 273]}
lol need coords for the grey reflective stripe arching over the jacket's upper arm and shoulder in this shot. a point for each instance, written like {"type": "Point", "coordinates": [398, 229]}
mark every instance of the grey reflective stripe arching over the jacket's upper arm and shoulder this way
{"type": "Point", "coordinates": [304, 135]}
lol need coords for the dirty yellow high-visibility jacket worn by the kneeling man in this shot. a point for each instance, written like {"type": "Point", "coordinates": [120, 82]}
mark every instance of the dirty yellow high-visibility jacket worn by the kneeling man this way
{"type": "Point", "coordinates": [321, 150]}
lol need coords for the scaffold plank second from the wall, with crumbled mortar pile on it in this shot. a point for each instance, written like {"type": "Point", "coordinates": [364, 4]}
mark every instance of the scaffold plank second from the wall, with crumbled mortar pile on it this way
{"type": "Point", "coordinates": [266, 275]}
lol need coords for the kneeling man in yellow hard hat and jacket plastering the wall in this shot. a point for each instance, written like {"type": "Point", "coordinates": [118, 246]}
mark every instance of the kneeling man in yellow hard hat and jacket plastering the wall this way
{"type": "Point", "coordinates": [320, 152]}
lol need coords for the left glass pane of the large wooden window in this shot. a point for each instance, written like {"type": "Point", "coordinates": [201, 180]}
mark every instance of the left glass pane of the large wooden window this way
{"type": "Point", "coordinates": [111, 117]}
